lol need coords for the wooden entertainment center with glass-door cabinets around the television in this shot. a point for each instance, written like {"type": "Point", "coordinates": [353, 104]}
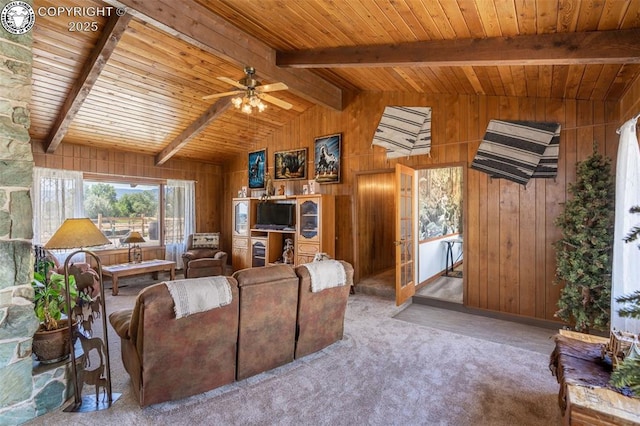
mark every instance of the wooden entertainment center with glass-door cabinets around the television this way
{"type": "Point", "coordinates": [313, 231]}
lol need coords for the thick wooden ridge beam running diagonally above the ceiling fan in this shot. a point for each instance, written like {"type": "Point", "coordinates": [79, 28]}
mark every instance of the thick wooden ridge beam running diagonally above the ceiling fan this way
{"type": "Point", "coordinates": [198, 26]}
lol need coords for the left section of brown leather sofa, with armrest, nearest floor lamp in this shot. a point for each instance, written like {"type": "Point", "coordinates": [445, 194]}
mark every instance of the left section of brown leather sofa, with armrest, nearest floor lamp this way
{"type": "Point", "coordinates": [169, 358]}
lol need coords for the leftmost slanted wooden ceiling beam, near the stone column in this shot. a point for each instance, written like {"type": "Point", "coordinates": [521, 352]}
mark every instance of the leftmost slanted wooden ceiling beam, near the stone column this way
{"type": "Point", "coordinates": [113, 31]}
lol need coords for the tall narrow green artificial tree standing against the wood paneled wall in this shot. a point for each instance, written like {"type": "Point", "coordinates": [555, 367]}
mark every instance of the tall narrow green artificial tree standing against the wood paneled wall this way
{"type": "Point", "coordinates": [584, 252]}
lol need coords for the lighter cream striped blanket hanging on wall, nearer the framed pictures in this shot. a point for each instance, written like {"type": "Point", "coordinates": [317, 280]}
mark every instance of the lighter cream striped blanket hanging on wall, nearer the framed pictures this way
{"type": "Point", "coordinates": [404, 131]}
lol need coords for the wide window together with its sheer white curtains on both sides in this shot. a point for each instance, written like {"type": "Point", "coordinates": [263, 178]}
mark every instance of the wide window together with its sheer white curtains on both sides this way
{"type": "Point", "coordinates": [154, 209]}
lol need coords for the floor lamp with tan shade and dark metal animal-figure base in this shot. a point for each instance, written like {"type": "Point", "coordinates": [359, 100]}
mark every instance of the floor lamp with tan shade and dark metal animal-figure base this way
{"type": "Point", "coordinates": [75, 233]}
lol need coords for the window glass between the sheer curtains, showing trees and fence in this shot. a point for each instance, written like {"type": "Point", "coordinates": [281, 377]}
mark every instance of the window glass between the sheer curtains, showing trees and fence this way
{"type": "Point", "coordinates": [118, 208]}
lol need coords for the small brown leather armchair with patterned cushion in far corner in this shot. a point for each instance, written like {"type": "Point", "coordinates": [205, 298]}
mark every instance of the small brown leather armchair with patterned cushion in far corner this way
{"type": "Point", "coordinates": [203, 261]}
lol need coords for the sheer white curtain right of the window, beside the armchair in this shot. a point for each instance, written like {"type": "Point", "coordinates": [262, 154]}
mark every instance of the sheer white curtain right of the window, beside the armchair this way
{"type": "Point", "coordinates": [180, 218]}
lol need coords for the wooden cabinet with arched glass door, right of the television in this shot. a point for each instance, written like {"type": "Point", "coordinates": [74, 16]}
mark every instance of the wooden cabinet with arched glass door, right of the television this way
{"type": "Point", "coordinates": [315, 227]}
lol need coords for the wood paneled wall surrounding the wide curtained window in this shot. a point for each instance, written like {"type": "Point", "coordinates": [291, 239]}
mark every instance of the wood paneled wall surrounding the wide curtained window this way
{"type": "Point", "coordinates": [209, 182]}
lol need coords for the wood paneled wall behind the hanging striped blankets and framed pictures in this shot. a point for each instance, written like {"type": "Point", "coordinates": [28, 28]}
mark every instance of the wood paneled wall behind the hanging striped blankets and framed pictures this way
{"type": "Point", "coordinates": [509, 258]}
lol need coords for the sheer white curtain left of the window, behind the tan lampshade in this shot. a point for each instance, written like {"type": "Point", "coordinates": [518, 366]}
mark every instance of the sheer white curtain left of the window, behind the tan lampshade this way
{"type": "Point", "coordinates": [56, 195]}
